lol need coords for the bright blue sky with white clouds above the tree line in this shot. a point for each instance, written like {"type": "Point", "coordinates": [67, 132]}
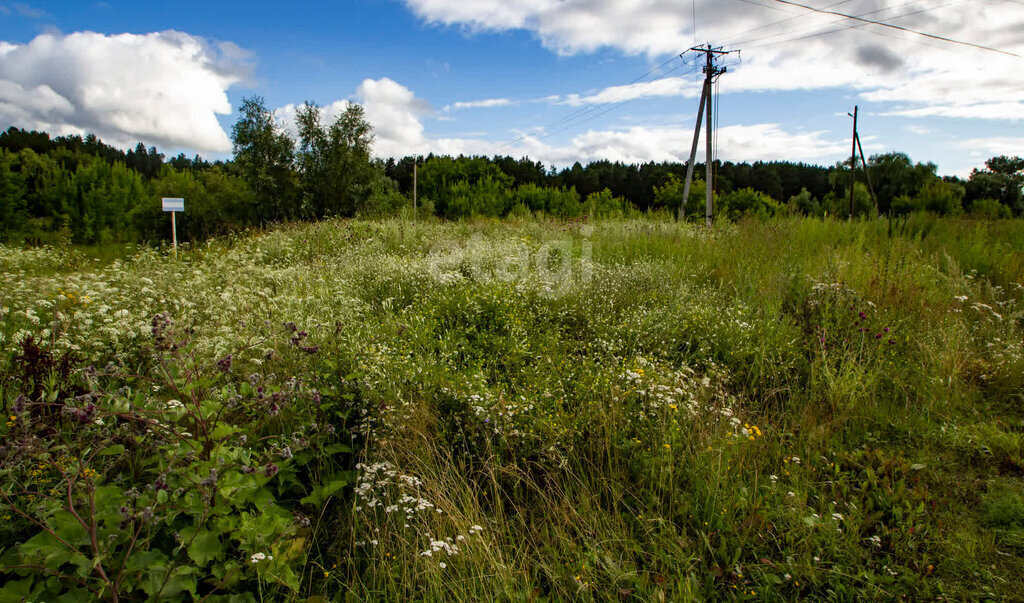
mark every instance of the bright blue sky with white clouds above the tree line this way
{"type": "Point", "coordinates": [544, 78]}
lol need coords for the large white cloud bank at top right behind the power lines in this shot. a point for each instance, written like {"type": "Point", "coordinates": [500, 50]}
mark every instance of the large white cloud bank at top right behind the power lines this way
{"type": "Point", "coordinates": [788, 49]}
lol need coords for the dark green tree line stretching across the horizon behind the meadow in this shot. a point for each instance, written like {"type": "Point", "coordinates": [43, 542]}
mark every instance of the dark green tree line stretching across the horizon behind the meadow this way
{"type": "Point", "coordinates": [83, 191]}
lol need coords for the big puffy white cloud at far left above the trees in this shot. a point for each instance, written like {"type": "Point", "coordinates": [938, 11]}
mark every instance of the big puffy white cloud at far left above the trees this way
{"type": "Point", "coordinates": [164, 89]}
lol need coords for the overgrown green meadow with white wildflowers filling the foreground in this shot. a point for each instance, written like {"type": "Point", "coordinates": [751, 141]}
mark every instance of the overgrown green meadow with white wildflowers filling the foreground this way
{"type": "Point", "coordinates": [520, 411]}
